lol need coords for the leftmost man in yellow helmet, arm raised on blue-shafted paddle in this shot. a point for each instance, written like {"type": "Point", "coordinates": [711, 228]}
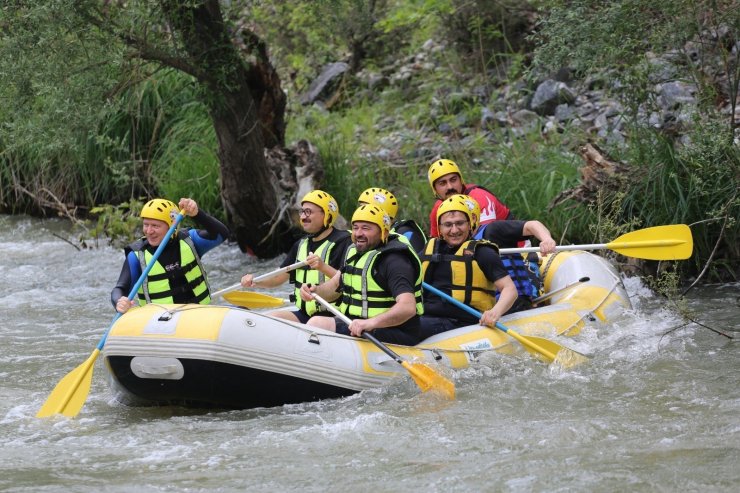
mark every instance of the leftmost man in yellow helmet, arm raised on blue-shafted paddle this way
{"type": "Point", "coordinates": [178, 275]}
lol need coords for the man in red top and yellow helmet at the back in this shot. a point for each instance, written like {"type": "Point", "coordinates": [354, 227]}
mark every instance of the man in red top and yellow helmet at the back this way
{"type": "Point", "coordinates": [446, 180]}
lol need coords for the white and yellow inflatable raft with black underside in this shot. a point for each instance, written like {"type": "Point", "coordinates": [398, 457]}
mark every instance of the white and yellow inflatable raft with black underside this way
{"type": "Point", "coordinates": [211, 356]}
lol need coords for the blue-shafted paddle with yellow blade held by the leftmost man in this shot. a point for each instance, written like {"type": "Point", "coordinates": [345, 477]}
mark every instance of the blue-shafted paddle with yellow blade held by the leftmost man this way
{"type": "Point", "coordinates": [70, 394]}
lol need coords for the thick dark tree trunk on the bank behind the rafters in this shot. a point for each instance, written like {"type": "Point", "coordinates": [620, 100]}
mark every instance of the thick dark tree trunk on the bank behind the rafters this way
{"type": "Point", "coordinates": [247, 106]}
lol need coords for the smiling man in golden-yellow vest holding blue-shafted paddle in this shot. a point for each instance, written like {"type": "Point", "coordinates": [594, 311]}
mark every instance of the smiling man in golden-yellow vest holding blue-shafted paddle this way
{"type": "Point", "coordinates": [469, 270]}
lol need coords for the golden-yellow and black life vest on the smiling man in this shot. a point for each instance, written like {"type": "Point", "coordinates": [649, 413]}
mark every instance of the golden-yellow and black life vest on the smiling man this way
{"type": "Point", "coordinates": [460, 273]}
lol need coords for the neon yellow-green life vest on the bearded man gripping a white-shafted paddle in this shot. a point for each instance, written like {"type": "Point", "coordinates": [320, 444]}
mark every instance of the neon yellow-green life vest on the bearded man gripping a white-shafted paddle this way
{"type": "Point", "coordinates": [362, 296]}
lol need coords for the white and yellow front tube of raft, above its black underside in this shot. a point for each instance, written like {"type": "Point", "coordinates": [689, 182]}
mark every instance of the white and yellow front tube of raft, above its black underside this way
{"type": "Point", "coordinates": [157, 336]}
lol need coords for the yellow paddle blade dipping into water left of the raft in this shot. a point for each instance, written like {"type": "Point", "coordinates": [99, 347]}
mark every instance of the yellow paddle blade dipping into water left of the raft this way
{"type": "Point", "coordinates": [70, 394]}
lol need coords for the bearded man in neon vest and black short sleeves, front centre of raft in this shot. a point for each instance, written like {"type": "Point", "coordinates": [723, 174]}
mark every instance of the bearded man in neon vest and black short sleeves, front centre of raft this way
{"type": "Point", "coordinates": [379, 287]}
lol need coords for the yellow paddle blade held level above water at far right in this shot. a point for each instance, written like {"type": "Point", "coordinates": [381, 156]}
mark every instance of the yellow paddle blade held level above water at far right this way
{"type": "Point", "coordinates": [672, 242]}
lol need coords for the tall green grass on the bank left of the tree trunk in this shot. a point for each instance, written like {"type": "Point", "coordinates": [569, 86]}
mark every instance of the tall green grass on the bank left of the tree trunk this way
{"type": "Point", "coordinates": [154, 139]}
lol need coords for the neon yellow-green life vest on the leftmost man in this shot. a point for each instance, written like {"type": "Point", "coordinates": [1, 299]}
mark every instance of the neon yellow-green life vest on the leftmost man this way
{"type": "Point", "coordinates": [158, 285]}
